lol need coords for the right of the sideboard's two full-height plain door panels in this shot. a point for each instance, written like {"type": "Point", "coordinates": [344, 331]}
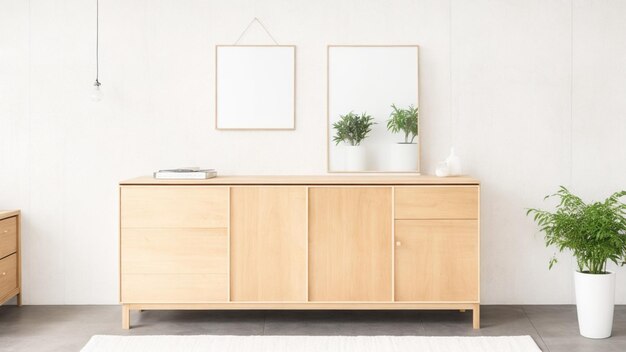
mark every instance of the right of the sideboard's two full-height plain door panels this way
{"type": "Point", "coordinates": [350, 244]}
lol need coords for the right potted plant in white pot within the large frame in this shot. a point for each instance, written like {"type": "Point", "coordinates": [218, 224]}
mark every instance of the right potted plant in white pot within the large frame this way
{"type": "Point", "coordinates": [404, 155]}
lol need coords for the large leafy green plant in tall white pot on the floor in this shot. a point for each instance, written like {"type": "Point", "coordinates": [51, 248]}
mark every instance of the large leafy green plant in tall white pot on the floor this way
{"type": "Point", "coordinates": [595, 234]}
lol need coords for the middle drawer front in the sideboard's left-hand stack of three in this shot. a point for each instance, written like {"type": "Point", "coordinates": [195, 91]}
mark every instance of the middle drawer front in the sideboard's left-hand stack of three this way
{"type": "Point", "coordinates": [171, 251]}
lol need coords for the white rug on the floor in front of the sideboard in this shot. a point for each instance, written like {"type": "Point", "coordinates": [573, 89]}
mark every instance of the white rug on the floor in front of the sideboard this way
{"type": "Point", "coordinates": [207, 343]}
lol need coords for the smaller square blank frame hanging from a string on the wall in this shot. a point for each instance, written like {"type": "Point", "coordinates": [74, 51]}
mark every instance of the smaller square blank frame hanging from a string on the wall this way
{"type": "Point", "coordinates": [255, 87]}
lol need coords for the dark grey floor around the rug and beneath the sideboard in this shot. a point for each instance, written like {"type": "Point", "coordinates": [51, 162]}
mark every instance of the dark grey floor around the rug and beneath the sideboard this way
{"type": "Point", "coordinates": [68, 328]}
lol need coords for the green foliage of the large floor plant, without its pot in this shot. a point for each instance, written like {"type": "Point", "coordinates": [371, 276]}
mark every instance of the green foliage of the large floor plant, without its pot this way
{"type": "Point", "coordinates": [595, 233]}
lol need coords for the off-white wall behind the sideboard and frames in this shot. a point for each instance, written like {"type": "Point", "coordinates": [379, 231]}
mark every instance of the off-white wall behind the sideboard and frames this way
{"type": "Point", "coordinates": [501, 80]}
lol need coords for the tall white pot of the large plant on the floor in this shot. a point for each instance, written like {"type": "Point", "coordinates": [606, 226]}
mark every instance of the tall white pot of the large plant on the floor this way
{"type": "Point", "coordinates": [595, 300]}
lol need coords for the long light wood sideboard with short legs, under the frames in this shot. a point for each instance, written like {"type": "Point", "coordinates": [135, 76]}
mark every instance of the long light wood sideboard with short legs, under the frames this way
{"type": "Point", "coordinates": [300, 242]}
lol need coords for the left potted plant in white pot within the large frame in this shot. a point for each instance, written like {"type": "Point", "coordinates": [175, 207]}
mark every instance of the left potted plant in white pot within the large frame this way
{"type": "Point", "coordinates": [352, 129]}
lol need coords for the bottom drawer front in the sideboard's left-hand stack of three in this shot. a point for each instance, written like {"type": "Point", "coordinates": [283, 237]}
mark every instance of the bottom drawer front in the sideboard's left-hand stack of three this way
{"type": "Point", "coordinates": [174, 288]}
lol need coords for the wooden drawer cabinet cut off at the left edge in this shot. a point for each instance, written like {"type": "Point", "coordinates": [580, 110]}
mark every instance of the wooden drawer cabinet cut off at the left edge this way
{"type": "Point", "coordinates": [10, 260]}
